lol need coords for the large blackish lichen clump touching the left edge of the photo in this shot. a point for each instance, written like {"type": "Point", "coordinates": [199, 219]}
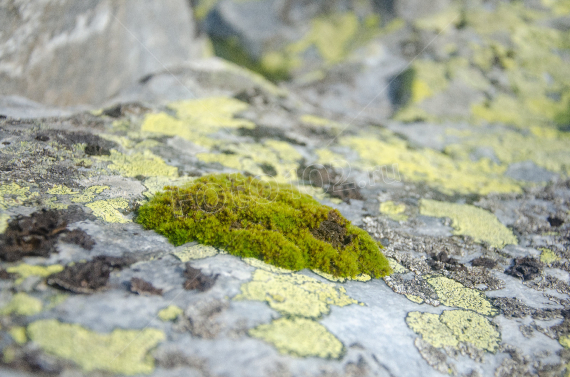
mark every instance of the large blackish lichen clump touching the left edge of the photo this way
{"type": "Point", "coordinates": [33, 235]}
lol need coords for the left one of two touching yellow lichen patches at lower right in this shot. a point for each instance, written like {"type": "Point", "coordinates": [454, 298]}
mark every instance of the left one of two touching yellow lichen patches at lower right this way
{"type": "Point", "coordinates": [431, 329]}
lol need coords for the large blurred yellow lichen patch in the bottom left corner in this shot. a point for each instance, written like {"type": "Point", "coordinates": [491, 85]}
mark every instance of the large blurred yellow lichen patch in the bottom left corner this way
{"type": "Point", "coordinates": [121, 351]}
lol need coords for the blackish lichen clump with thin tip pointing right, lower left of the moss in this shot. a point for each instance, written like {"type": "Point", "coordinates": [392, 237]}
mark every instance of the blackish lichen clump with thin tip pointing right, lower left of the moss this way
{"type": "Point", "coordinates": [88, 277]}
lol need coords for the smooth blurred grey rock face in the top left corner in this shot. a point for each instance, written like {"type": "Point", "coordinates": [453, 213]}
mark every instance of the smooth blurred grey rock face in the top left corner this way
{"type": "Point", "coordinates": [73, 53]}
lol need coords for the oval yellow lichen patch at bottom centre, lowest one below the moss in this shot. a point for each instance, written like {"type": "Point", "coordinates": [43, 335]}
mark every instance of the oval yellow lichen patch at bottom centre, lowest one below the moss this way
{"type": "Point", "coordinates": [299, 337]}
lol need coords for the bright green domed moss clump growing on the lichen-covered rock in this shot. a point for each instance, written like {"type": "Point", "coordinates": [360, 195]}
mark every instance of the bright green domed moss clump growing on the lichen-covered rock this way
{"type": "Point", "coordinates": [275, 223]}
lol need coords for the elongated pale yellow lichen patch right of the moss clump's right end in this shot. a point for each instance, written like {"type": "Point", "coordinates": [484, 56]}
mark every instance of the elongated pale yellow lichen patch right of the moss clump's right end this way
{"type": "Point", "coordinates": [471, 221]}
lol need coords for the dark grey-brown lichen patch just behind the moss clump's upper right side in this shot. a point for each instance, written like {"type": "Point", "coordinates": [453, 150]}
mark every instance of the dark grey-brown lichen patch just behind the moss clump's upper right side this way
{"type": "Point", "coordinates": [330, 180]}
